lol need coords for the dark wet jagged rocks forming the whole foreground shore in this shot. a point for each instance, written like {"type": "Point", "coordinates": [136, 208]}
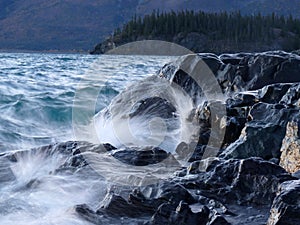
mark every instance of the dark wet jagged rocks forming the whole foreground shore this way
{"type": "Point", "coordinates": [254, 177]}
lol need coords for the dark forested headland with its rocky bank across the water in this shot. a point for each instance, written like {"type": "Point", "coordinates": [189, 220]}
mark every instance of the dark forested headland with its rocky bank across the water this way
{"type": "Point", "coordinates": [216, 32]}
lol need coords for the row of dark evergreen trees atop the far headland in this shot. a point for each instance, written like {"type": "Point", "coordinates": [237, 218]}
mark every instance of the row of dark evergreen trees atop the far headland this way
{"type": "Point", "coordinates": [232, 27]}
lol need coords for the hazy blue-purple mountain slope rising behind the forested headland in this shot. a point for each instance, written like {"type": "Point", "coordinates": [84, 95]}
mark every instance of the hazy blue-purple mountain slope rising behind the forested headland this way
{"type": "Point", "coordinates": [80, 24]}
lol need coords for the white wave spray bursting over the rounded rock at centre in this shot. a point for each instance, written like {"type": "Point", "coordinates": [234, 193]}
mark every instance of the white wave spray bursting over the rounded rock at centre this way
{"type": "Point", "coordinates": [150, 112]}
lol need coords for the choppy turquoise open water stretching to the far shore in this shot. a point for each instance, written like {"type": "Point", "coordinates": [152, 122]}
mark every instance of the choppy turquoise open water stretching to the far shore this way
{"type": "Point", "coordinates": [37, 92]}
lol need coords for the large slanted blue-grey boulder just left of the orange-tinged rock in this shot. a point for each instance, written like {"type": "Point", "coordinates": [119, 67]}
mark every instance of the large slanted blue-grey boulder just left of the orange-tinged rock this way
{"type": "Point", "coordinates": [268, 121]}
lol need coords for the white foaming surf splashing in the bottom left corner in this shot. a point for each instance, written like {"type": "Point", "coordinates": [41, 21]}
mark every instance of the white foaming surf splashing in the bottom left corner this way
{"type": "Point", "coordinates": [35, 191]}
